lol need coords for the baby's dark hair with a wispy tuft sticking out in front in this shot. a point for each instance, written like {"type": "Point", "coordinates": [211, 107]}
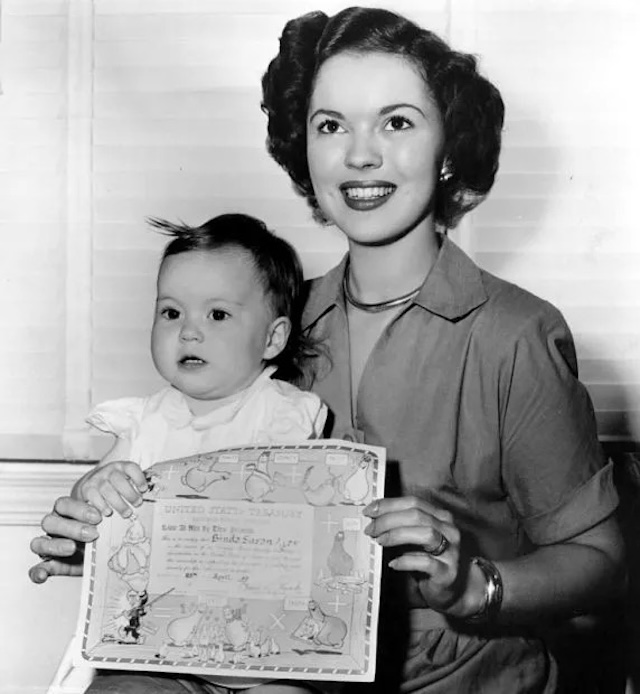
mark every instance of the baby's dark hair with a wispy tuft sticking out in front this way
{"type": "Point", "coordinates": [277, 267]}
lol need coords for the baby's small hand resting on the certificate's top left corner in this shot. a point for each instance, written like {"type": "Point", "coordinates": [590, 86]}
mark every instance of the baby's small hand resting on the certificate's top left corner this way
{"type": "Point", "coordinates": [114, 486]}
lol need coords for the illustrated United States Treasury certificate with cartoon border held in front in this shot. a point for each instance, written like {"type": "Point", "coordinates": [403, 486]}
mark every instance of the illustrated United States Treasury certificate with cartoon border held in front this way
{"type": "Point", "coordinates": [248, 562]}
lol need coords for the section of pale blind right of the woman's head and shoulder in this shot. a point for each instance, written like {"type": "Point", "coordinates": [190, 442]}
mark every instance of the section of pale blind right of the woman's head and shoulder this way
{"type": "Point", "coordinates": [562, 219]}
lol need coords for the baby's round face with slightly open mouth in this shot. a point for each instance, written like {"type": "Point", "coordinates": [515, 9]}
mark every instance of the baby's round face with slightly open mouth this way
{"type": "Point", "coordinates": [212, 325]}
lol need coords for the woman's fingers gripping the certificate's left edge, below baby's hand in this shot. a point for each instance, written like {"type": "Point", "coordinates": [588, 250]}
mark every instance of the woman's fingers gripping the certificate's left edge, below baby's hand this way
{"type": "Point", "coordinates": [70, 525]}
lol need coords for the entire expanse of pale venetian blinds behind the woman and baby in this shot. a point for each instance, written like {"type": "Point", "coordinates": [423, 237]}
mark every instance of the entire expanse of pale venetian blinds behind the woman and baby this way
{"type": "Point", "coordinates": [114, 110]}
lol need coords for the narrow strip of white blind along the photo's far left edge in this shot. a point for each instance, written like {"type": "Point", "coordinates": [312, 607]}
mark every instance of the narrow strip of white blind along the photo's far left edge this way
{"type": "Point", "coordinates": [33, 278]}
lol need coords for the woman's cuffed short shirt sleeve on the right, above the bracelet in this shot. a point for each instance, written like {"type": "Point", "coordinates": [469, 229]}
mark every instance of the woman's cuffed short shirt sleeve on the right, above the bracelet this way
{"type": "Point", "coordinates": [554, 469]}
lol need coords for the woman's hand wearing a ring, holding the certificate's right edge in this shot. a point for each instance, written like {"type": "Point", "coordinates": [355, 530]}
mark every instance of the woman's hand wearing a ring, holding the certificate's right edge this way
{"type": "Point", "coordinates": [429, 548]}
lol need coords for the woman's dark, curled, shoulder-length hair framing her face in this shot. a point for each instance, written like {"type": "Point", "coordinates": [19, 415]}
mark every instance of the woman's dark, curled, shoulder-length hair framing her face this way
{"type": "Point", "coordinates": [471, 107]}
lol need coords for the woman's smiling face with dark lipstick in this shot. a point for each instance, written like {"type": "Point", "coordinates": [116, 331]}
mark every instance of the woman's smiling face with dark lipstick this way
{"type": "Point", "coordinates": [374, 141]}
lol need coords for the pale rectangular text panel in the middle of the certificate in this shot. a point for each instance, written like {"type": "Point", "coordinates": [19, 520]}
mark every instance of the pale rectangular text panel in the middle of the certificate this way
{"type": "Point", "coordinates": [233, 548]}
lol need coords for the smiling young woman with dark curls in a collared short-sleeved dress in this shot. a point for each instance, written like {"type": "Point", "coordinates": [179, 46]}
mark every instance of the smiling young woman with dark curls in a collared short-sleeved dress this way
{"type": "Point", "coordinates": [498, 522]}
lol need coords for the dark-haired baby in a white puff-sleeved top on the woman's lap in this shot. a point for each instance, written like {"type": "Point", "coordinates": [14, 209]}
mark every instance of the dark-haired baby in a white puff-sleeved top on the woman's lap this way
{"type": "Point", "coordinates": [226, 321]}
